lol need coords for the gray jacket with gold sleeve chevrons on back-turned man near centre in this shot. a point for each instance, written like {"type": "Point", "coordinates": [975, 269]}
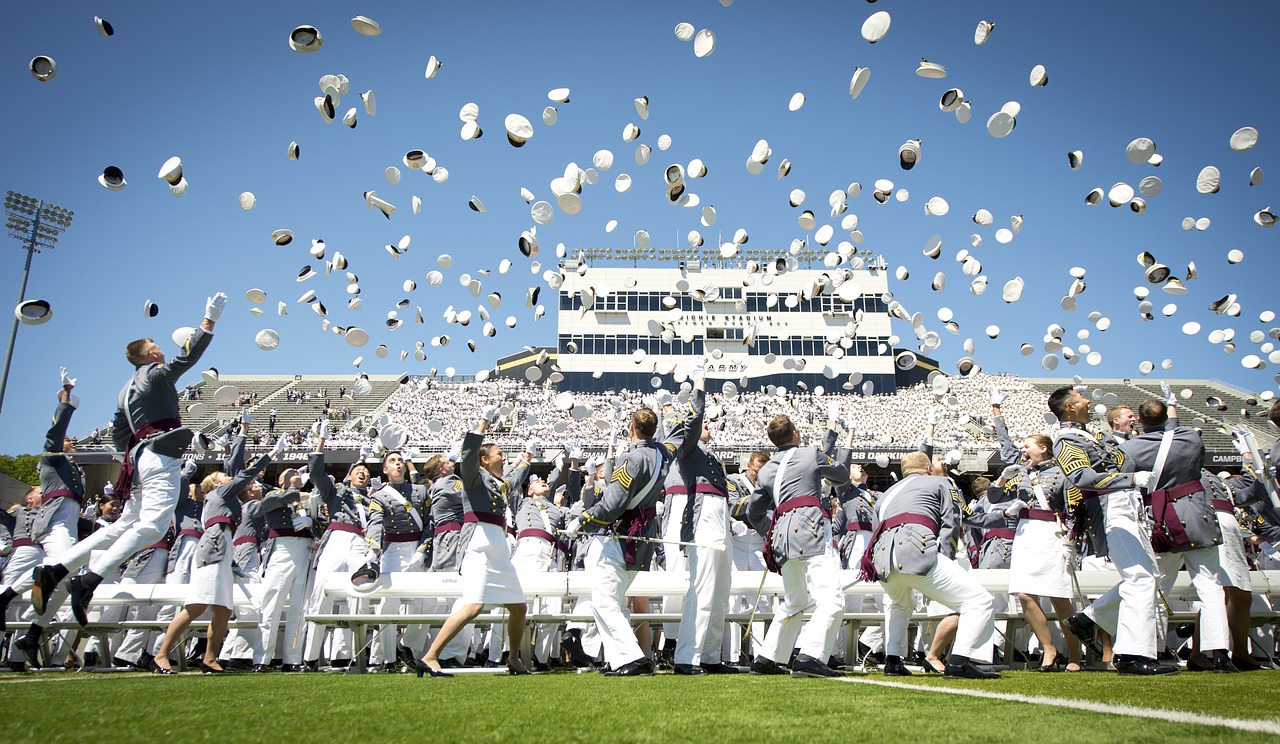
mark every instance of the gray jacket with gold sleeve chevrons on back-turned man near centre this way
{"type": "Point", "coordinates": [628, 506]}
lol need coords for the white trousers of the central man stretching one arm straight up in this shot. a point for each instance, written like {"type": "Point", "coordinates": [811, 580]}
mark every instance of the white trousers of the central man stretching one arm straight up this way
{"type": "Point", "coordinates": [707, 600]}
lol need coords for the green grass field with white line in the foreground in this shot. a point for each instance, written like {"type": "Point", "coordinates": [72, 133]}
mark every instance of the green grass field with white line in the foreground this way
{"type": "Point", "coordinates": [569, 708]}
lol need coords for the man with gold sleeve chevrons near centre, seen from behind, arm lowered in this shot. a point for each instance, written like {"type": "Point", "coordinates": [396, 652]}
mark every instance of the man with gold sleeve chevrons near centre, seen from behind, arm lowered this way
{"type": "Point", "coordinates": [623, 524]}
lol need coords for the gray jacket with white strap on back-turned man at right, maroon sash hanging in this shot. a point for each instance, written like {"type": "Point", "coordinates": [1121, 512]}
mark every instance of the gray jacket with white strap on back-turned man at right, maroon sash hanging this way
{"type": "Point", "coordinates": [1182, 469]}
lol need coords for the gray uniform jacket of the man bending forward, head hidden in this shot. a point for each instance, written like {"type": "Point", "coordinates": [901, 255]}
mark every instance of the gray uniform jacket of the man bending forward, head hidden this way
{"type": "Point", "coordinates": [909, 547]}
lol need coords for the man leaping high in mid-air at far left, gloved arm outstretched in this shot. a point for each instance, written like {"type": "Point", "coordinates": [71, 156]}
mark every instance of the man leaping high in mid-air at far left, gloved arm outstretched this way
{"type": "Point", "coordinates": [148, 428]}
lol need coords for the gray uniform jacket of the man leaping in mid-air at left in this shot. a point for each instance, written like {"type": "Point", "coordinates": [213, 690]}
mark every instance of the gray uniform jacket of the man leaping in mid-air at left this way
{"type": "Point", "coordinates": [150, 399]}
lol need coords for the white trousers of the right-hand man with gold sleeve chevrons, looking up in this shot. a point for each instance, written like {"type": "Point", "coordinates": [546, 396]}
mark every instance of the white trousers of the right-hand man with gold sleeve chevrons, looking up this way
{"type": "Point", "coordinates": [1128, 610]}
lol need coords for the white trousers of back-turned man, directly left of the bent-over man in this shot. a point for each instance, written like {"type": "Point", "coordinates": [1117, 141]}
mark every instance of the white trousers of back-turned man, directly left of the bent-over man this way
{"type": "Point", "coordinates": [803, 579]}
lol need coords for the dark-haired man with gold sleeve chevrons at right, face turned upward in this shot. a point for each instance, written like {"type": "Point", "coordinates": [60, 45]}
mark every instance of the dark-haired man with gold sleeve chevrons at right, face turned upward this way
{"type": "Point", "coordinates": [1095, 467]}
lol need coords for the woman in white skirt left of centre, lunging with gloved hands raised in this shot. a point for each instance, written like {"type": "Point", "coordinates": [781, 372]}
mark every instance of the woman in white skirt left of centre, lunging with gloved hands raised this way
{"type": "Point", "coordinates": [488, 576]}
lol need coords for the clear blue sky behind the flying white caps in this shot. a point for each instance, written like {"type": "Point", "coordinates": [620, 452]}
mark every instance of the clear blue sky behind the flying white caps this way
{"type": "Point", "coordinates": [221, 89]}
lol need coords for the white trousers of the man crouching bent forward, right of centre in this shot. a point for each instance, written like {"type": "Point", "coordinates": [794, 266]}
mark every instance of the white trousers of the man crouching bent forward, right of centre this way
{"type": "Point", "coordinates": [950, 586]}
